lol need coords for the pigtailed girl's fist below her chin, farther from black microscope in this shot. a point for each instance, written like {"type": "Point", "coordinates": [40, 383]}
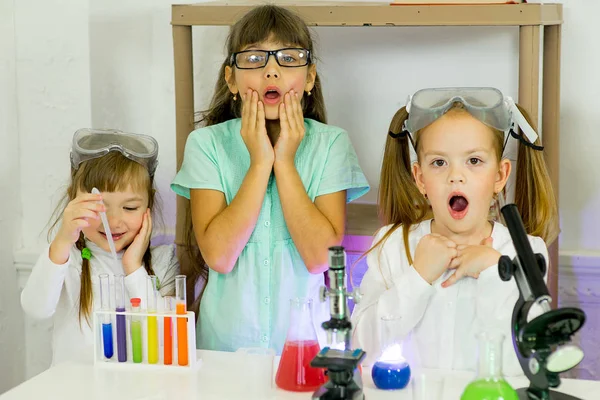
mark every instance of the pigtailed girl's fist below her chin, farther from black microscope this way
{"type": "Point", "coordinates": [433, 256]}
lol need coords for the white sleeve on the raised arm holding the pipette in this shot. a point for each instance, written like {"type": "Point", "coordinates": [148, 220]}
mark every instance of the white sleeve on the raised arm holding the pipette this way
{"type": "Point", "coordinates": [40, 296]}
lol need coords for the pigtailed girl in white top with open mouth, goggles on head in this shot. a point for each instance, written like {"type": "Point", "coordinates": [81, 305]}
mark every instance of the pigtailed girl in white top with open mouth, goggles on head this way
{"type": "Point", "coordinates": [435, 263]}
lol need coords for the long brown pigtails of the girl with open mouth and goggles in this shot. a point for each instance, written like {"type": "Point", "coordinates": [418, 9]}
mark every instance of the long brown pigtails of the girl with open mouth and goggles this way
{"type": "Point", "coordinates": [402, 204]}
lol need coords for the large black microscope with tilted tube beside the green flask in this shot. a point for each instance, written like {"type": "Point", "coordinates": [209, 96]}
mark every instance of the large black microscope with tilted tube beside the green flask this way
{"type": "Point", "coordinates": [542, 344]}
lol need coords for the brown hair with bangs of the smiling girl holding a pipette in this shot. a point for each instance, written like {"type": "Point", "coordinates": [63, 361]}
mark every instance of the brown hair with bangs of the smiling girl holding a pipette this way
{"type": "Point", "coordinates": [110, 173]}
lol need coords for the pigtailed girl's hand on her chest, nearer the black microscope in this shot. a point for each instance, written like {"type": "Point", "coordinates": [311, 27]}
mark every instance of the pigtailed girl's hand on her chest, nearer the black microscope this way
{"type": "Point", "coordinates": [472, 260]}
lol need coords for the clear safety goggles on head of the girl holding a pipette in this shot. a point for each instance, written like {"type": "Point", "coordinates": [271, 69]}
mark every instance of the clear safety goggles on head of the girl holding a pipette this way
{"type": "Point", "coordinates": [95, 143]}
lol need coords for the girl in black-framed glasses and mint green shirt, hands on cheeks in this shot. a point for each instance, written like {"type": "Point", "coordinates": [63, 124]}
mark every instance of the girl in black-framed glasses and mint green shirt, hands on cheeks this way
{"type": "Point", "coordinates": [268, 182]}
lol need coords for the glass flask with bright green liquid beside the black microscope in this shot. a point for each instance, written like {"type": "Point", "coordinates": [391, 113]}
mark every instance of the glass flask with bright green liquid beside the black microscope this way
{"type": "Point", "coordinates": [489, 383]}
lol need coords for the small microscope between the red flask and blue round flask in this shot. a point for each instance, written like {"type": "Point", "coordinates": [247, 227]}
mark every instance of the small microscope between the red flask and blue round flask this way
{"type": "Point", "coordinates": [339, 359]}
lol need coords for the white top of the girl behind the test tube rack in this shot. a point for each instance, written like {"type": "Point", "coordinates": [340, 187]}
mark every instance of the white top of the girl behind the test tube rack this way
{"type": "Point", "coordinates": [53, 291]}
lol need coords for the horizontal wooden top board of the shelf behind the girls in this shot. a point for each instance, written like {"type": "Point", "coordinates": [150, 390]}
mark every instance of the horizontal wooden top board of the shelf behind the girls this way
{"type": "Point", "coordinates": [379, 14]}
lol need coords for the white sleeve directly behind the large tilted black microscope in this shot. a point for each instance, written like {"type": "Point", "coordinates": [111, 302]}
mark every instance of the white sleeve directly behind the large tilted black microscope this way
{"type": "Point", "coordinates": [495, 303]}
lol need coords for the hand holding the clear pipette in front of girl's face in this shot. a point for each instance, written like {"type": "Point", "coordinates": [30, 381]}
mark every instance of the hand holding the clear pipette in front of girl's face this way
{"type": "Point", "coordinates": [75, 217]}
